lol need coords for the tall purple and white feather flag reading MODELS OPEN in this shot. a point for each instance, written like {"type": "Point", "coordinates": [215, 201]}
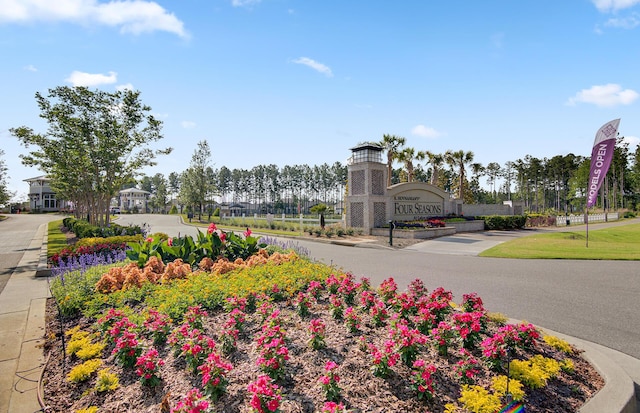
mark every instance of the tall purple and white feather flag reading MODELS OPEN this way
{"type": "Point", "coordinates": [601, 156]}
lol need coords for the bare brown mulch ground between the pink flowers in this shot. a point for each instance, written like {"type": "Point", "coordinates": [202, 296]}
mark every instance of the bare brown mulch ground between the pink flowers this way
{"type": "Point", "coordinates": [361, 391]}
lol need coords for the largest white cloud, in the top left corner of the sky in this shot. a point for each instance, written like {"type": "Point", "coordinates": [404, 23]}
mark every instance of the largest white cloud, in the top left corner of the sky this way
{"type": "Point", "coordinates": [132, 16]}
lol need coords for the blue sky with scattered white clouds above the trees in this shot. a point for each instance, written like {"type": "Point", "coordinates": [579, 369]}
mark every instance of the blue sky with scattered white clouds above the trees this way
{"type": "Point", "coordinates": [291, 82]}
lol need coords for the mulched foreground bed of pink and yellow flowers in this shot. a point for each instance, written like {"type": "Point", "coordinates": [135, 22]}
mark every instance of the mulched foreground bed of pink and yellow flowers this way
{"type": "Point", "coordinates": [299, 338]}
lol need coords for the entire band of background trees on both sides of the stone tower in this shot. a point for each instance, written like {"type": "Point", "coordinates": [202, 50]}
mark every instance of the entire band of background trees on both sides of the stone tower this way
{"type": "Point", "coordinates": [97, 144]}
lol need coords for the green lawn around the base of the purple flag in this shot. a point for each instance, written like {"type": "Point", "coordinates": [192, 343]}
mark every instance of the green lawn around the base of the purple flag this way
{"type": "Point", "coordinates": [616, 243]}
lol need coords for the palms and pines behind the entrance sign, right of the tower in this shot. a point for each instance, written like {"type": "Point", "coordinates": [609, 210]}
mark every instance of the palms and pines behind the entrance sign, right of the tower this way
{"type": "Point", "coordinates": [556, 184]}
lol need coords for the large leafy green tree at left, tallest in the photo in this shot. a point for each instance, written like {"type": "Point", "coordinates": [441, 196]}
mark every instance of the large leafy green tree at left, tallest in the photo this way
{"type": "Point", "coordinates": [96, 141]}
